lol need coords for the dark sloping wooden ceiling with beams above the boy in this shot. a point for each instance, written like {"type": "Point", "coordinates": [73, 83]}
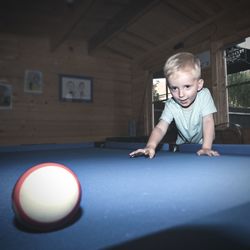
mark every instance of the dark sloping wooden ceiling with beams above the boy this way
{"type": "Point", "coordinates": [128, 28]}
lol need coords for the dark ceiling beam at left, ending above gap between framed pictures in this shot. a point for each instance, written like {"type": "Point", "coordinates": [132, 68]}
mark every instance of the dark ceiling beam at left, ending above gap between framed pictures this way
{"type": "Point", "coordinates": [73, 17]}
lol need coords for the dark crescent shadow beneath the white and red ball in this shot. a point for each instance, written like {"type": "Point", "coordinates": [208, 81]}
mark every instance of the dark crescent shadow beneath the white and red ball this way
{"type": "Point", "coordinates": [29, 229]}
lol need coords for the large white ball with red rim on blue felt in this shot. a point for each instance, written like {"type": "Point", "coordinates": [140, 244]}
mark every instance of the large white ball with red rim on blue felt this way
{"type": "Point", "coordinates": [46, 196]}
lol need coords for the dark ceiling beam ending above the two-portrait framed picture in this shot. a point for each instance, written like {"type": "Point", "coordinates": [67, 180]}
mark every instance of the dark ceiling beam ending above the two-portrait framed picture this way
{"type": "Point", "coordinates": [120, 22]}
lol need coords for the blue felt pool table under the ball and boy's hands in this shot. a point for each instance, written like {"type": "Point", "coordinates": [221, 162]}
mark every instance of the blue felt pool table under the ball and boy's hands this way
{"type": "Point", "coordinates": [177, 200]}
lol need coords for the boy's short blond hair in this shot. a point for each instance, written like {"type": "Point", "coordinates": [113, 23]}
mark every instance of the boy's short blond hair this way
{"type": "Point", "coordinates": [182, 61]}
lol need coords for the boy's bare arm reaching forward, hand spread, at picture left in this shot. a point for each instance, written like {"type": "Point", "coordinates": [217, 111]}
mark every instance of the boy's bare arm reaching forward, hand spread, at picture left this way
{"type": "Point", "coordinates": [156, 136]}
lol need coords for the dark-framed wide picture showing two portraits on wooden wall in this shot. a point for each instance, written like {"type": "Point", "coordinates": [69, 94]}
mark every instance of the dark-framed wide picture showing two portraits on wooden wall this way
{"type": "Point", "coordinates": [76, 88]}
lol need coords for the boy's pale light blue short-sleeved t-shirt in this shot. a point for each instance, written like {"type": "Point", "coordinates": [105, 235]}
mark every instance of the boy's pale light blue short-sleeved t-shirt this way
{"type": "Point", "coordinates": [189, 120]}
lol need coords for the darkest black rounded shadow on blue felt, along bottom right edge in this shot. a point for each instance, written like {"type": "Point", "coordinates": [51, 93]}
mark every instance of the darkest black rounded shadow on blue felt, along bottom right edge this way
{"type": "Point", "coordinates": [183, 238]}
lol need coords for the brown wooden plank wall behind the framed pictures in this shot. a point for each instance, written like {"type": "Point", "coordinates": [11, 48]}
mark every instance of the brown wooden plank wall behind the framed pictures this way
{"type": "Point", "coordinates": [44, 118]}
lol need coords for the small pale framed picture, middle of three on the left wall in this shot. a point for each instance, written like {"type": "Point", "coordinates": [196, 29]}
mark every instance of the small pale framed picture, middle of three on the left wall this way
{"type": "Point", "coordinates": [33, 81]}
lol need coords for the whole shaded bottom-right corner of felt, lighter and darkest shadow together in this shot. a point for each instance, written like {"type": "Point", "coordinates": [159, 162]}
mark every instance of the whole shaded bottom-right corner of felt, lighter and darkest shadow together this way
{"type": "Point", "coordinates": [225, 230]}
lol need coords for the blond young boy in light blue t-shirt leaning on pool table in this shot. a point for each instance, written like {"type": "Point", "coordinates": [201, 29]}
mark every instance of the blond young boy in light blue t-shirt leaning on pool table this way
{"type": "Point", "coordinates": [191, 107]}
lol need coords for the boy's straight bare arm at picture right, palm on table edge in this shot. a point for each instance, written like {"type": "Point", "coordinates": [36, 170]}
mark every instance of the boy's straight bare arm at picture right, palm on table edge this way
{"type": "Point", "coordinates": [208, 136]}
